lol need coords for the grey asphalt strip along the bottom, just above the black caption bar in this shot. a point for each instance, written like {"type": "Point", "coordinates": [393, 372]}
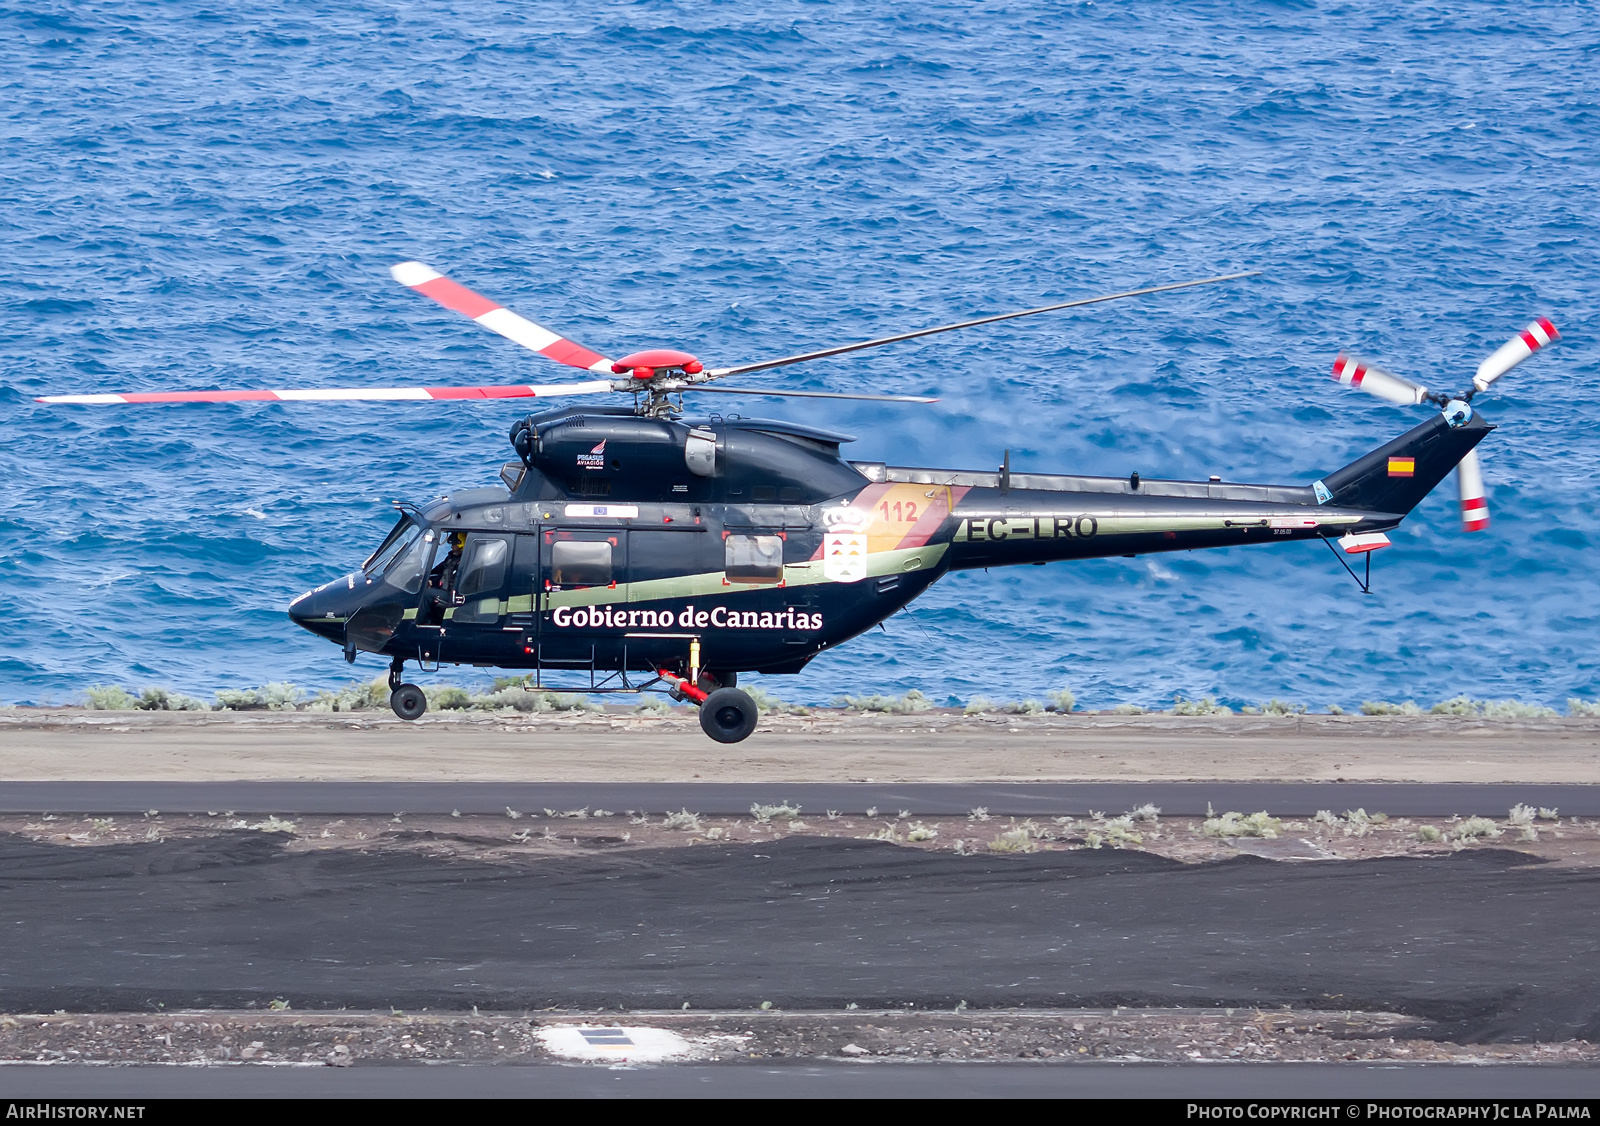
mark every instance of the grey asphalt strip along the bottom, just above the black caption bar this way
{"type": "Point", "coordinates": [1338, 1084]}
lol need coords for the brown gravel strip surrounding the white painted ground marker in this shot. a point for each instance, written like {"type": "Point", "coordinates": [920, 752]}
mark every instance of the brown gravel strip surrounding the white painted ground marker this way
{"type": "Point", "coordinates": [1063, 1037]}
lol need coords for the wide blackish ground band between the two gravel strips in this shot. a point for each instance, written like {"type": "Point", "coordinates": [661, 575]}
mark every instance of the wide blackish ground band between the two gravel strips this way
{"type": "Point", "coordinates": [1481, 944]}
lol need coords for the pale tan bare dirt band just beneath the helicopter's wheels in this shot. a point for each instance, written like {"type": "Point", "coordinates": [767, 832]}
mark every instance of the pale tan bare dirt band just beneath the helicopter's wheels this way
{"type": "Point", "coordinates": [825, 746]}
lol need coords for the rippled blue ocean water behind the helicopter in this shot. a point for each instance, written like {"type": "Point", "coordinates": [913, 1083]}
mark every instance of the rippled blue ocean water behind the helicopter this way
{"type": "Point", "coordinates": [212, 196]}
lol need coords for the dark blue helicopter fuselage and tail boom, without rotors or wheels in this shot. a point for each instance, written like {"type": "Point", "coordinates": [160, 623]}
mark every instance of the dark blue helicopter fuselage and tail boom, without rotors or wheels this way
{"type": "Point", "coordinates": [622, 540]}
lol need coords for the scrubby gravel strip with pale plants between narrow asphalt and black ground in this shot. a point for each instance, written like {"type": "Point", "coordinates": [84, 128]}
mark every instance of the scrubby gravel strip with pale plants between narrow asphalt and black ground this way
{"type": "Point", "coordinates": [522, 837]}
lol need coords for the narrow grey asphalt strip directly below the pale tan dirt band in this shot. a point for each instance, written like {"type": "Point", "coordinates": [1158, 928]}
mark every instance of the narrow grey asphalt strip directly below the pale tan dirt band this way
{"type": "Point", "coordinates": [734, 799]}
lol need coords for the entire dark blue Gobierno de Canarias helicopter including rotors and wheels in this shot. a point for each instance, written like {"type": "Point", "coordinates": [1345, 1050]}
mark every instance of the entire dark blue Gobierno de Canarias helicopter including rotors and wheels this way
{"type": "Point", "coordinates": [652, 551]}
